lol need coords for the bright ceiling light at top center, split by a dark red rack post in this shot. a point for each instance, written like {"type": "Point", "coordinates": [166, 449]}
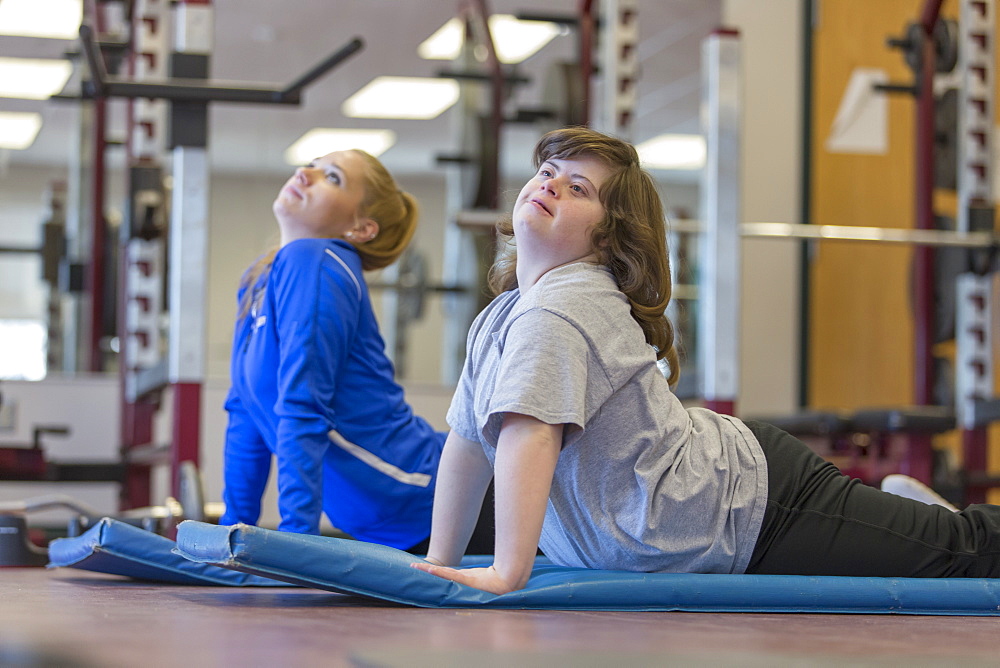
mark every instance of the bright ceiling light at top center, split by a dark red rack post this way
{"type": "Point", "coordinates": [514, 40]}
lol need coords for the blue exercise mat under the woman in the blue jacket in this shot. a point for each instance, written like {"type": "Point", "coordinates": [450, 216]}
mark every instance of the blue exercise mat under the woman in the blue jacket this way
{"type": "Point", "coordinates": [118, 548]}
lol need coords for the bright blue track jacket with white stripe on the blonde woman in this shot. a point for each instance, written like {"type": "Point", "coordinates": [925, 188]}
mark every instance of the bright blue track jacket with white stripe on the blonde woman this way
{"type": "Point", "coordinates": [311, 385]}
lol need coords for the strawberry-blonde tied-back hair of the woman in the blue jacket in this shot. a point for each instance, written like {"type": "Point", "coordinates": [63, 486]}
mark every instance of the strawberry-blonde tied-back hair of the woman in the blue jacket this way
{"type": "Point", "coordinates": [395, 210]}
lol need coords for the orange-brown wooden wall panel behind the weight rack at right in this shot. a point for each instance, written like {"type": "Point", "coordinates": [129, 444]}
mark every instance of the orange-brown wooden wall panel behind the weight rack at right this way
{"type": "Point", "coordinates": [861, 325]}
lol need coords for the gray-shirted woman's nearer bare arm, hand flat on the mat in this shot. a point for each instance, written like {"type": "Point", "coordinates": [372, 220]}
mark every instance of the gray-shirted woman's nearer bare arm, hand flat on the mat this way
{"type": "Point", "coordinates": [527, 452]}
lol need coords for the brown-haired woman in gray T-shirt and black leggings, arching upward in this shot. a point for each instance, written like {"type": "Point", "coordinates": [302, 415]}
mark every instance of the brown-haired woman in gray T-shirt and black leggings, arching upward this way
{"type": "Point", "coordinates": [595, 459]}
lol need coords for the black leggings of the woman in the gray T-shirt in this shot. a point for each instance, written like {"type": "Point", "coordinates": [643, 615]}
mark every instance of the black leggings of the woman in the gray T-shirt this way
{"type": "Point", "coordinates": [821, 522]}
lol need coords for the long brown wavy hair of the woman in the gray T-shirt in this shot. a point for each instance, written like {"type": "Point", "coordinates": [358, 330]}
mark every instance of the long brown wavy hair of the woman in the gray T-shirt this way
{"type": "Point", "coordinates": [630, 239]}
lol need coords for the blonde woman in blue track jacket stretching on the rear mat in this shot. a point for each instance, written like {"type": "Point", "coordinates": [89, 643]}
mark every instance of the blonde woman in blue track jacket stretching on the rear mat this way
{"type": "Point", "coordinates": [311, 384]}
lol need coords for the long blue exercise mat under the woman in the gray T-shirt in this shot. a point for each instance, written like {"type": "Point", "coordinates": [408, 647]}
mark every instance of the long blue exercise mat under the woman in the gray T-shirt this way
{"type": "Point", "coordinates": [384, 573]}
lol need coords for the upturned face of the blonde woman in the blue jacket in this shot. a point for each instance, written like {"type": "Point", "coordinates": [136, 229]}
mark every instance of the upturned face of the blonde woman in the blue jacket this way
{"type": "Point", "coordinates": [322, 199]}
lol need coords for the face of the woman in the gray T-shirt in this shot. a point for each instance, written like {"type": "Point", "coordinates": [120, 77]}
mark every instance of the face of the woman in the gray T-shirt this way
{"type": "Point", "coordinates": [557, 209]}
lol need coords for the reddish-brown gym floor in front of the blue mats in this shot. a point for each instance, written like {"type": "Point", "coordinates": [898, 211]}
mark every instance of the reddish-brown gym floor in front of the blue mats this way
{"type": "Point", "coordinates": [66, 617]}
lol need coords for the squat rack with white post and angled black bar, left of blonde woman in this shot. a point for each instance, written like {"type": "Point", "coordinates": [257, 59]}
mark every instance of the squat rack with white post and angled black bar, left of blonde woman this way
{"type": "Point", "coordinates": [190, 91]}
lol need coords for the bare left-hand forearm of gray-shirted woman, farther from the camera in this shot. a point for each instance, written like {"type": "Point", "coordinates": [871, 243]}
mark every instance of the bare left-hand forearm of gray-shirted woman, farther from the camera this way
{"type": "Point", "coordinates": [463, 476]}
